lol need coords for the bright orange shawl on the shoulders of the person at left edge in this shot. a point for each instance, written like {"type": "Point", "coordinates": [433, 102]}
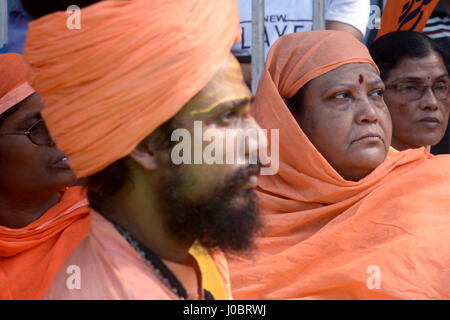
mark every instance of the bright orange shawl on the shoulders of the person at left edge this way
{"type": "Point", "coordinates": [30, 257]}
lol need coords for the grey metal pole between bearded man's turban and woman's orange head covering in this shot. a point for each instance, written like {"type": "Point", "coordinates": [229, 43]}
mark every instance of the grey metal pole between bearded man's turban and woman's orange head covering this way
{"type": "Point", "coordinates": [258, 52]}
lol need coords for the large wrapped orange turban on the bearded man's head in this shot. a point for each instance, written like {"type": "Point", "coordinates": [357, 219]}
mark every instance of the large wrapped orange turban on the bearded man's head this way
{"type": "Point", "coordinates": [132, 66]}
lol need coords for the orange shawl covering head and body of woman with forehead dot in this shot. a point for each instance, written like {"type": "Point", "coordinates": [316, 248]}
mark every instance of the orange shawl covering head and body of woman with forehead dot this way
{"type": "Point", "coordinates": [383, 237]}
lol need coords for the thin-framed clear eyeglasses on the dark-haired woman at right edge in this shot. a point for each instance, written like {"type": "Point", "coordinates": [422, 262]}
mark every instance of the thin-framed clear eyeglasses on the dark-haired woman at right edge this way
{"type": "Point", "coordinates": [416, 90]}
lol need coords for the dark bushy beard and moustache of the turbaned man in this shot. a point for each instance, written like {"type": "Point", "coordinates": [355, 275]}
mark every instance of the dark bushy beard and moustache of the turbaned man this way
{"type": "Point", "coordinates": [218, 221]}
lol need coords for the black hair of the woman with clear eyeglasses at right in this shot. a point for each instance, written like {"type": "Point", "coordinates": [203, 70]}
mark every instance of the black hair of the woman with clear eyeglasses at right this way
{"type": "Point", "coordinates": [389, 50]}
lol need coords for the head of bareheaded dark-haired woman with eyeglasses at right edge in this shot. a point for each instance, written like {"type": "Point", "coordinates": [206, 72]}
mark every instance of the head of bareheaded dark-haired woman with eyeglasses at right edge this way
{"type": "Point", "coordinates": [414, 71]}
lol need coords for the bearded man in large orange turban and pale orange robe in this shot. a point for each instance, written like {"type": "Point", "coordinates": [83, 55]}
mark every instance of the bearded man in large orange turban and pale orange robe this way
{"type": "Point", "coordinates": [114, 92]}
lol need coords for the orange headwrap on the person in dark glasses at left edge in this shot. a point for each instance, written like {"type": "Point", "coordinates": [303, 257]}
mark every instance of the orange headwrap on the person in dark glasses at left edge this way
{"type": "Point", "coordinates": [13, 86]}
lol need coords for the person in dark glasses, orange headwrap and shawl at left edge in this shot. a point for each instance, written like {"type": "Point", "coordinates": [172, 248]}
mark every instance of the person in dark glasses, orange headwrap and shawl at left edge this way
{"type": "Point", "coordinates": [41, 219]}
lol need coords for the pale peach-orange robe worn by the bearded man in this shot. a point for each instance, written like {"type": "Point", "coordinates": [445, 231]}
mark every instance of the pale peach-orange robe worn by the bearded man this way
{"type": "Point", "coordinates": [108, 267]}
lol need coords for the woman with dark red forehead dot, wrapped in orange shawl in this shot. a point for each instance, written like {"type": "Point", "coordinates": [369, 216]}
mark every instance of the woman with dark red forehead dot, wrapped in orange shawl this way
{"type": "Point", "coordinates": [345, 218]}
